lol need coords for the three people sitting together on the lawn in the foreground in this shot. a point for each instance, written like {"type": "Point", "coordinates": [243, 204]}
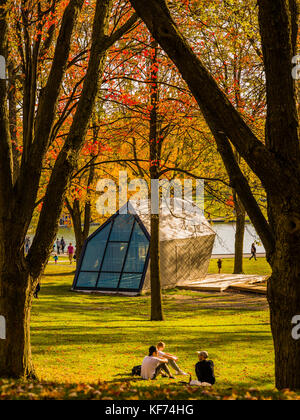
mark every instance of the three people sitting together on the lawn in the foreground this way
{"type": "Point", "coordinates": [158, 362]}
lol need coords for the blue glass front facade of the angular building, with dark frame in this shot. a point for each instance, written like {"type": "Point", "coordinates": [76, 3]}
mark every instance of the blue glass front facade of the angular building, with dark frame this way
{"type": "Point", "coordinates": [115, 258]}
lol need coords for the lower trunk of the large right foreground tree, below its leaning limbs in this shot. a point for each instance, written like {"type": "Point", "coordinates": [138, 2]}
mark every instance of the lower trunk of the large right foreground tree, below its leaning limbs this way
{"type": "Point", "coordinates": [284, 290]}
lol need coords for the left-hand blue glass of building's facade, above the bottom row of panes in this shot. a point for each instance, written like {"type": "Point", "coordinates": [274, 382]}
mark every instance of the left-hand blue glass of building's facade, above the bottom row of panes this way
{"type": "Point", "coordinates": [95, 249]}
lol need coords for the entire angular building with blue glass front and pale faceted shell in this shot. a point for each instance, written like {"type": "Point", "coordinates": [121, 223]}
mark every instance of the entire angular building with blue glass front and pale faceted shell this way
{"type": "Point", "coordinates": [115, 258]}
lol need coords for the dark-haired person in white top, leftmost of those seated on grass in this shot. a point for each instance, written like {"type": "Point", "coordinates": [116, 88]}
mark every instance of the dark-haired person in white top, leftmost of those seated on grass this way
{"type": "Point", "coordinates": [153, 365]}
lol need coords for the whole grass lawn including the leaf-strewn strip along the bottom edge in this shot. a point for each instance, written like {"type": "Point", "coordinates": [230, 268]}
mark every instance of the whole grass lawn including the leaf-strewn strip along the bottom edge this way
{"type": "Point", "coordinates": [84, 346]}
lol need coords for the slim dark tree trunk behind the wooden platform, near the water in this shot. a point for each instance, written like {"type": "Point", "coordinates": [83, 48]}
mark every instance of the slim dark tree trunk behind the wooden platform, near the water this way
{"type": "Point", "coordinates": [239, 235]}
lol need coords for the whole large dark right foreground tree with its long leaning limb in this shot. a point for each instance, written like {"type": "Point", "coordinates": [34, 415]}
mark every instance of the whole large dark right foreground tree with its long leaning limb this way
{"type": "Point", "coordinates": [276, 163]}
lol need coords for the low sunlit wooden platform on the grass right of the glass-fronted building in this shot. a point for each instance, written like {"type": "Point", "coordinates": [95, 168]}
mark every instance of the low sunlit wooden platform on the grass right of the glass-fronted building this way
{"type": "Point", "coordinates": [229, 282]}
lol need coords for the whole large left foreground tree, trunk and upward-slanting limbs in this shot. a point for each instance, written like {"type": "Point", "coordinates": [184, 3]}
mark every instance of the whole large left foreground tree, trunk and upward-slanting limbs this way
{"type": "Point", "coordinates": [17, 202]}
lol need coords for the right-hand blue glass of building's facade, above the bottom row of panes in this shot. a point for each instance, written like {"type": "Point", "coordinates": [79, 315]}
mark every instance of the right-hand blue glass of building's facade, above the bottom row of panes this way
{"type": "Point", "coordinates": [138, 251]}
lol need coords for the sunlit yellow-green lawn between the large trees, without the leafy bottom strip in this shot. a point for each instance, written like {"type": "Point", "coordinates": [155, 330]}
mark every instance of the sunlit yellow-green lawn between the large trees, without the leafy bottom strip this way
{"type": "Point", "coordinates": [78, 337]}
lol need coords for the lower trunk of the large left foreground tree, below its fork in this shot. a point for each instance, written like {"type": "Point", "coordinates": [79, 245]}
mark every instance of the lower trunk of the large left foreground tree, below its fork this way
{"type": "Point", "coordinates": [15, 306]}
